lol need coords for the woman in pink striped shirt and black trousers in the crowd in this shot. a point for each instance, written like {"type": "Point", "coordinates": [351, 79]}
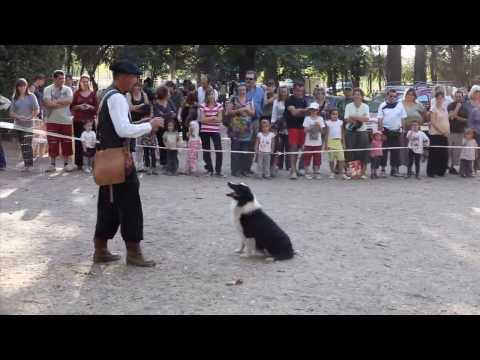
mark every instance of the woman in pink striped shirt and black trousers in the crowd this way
{"type": "Point", "coordinates": [211, 115]}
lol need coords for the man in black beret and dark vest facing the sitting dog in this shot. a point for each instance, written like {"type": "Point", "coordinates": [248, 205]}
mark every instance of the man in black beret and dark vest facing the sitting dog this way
{"type": "Point", "coordinates": [120, 205]}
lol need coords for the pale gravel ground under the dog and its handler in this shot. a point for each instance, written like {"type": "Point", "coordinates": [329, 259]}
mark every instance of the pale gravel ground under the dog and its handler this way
{"type": "Point", "coordinates": [389, 246]}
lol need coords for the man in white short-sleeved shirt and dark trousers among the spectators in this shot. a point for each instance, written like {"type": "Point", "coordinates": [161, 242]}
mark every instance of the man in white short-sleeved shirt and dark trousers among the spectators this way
{"type": "Point", "coordinates": [390, 116]}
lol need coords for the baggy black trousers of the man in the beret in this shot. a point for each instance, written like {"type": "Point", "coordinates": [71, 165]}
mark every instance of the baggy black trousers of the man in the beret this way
{"type": "Point", "coordinates": [125, 211]}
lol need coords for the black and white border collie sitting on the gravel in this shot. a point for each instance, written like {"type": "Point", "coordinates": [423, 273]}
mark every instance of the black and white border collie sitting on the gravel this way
{"type": "Point", "coordinates": [259, 234]}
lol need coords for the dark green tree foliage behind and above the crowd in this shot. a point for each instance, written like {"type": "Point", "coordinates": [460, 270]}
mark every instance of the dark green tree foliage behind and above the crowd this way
{"type": "Point", "coordinates": [332, 63]}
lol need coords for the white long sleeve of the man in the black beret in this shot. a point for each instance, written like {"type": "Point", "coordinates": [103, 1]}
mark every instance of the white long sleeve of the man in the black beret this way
{"type": "Point", "coordinates": [119, 112]}
